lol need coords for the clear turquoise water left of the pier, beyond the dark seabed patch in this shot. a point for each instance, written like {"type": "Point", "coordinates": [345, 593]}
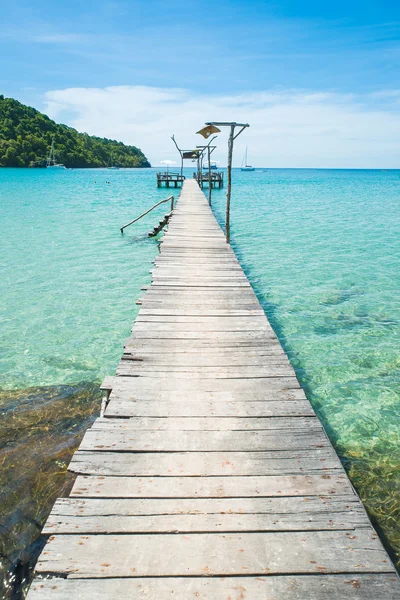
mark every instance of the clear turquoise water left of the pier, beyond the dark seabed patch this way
{"type": "Point", "coordinates": [69, 280]}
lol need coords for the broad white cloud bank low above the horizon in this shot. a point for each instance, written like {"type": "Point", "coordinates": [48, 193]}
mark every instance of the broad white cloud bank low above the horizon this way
{"type": "Point", "coordinates": [289, 128]}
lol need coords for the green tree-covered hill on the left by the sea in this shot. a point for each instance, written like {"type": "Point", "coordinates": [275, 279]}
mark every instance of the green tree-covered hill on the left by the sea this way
{"type": "Point", "coordinates": [26, 135]}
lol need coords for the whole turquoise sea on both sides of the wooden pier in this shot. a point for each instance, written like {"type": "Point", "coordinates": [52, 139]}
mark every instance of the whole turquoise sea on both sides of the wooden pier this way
{"type": "Point", "coordinates": [322, 251]}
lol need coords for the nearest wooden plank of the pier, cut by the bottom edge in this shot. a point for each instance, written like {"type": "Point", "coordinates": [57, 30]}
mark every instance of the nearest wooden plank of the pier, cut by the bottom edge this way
{"type": "Point", "coordinates": [311, 587]}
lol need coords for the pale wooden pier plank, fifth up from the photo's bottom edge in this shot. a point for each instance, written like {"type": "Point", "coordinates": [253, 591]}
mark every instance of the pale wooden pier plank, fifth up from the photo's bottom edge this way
{"type": "Point", "coordinates": [210, 487]}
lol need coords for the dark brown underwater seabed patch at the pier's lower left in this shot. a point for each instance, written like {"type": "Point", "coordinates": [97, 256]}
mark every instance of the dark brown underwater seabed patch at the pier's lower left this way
{"type": "Point", "coordinates": [40, 428]}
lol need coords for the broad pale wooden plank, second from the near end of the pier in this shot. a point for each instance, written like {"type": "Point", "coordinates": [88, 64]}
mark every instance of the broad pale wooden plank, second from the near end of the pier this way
{"type": "Point", "coordinates": [306, 552]}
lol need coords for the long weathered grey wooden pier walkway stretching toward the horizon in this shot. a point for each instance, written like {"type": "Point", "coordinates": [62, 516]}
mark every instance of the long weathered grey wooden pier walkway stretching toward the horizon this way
{"type": "Point", "coordinates": [209, 476]}
